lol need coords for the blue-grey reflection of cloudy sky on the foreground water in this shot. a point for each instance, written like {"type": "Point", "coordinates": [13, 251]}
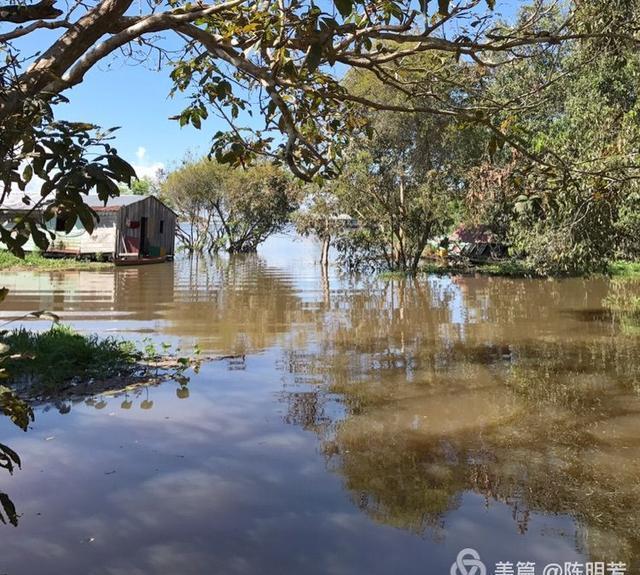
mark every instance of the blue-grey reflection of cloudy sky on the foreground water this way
{"type": "Point", "coordinates": [217, 484]}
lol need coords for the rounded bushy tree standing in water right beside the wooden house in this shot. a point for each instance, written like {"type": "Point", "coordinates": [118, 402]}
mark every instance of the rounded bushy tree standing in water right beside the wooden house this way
{"type": "Point", "coordinates": [234, 209]}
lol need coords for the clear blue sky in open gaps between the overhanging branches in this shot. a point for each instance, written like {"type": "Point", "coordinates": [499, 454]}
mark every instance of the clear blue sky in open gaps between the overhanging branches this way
{"type": "Point", "coordinates": [136, 99]}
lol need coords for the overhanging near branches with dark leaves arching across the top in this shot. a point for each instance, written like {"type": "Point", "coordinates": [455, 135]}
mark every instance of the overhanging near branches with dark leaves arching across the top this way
{"type": "Point", "coordinates": [281, 57]}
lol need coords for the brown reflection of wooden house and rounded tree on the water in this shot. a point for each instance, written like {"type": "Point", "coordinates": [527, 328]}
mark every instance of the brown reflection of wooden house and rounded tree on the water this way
{"type": "Point", "coordinates": [232, 306]}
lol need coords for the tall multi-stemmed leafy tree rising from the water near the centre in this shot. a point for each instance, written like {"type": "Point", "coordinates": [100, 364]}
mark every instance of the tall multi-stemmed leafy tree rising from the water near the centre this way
{"type": "Point", "coordinates": [403, 180]}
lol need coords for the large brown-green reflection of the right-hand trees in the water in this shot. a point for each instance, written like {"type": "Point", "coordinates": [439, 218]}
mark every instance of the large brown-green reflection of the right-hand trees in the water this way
{"type": "Point", "coordinates": [424, 391]}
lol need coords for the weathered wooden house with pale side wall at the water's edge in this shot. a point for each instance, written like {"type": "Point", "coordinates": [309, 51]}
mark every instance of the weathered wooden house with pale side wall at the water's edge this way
{"type": "Point", "coordinates": [127, 224]}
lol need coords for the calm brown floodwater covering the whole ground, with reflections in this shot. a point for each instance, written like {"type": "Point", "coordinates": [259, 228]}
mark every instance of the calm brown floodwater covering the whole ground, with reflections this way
{"type": "Point", "coordinates": [363, 426]}
